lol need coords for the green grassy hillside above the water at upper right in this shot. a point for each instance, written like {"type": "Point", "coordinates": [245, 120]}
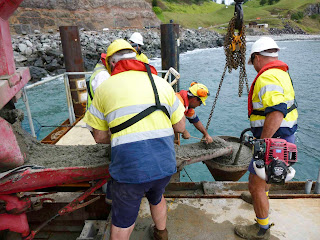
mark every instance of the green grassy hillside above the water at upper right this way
{"type": "Point", "coordinates": [216, 16]}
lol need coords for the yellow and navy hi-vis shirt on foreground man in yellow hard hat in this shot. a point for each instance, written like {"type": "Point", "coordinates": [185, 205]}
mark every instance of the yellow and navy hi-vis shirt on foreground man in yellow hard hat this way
{"type": "Point", "coordinates": [144, 151]}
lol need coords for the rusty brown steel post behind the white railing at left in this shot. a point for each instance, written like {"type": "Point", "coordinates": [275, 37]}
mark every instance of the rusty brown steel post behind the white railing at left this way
{"type": "Point", "coordinates": [70, 40]}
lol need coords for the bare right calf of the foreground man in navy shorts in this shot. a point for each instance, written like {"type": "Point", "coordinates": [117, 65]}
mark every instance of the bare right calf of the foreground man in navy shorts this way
{"type": "Point", "coordinates": [159, 214]}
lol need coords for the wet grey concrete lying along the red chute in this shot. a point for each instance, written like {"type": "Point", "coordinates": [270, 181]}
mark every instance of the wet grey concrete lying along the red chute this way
{"type": "Point", "coordinates": [60, 156]}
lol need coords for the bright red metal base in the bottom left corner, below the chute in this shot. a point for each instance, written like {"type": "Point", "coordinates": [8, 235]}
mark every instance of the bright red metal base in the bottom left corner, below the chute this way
{"type": "Point", "coordinates": [15, 222]}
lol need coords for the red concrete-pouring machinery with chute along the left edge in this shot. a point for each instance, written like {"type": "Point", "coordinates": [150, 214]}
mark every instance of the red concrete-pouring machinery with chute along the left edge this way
{"type": "Point", "coordinates": [28, 178]}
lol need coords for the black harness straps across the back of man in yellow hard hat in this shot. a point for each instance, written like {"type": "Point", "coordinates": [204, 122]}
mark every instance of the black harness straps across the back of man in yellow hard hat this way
{"type": "Point", "coordinates": [145, 112]}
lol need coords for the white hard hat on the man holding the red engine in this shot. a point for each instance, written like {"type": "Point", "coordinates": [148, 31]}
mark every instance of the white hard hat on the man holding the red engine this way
{"type": "Point", "coordinates": [263, 44]}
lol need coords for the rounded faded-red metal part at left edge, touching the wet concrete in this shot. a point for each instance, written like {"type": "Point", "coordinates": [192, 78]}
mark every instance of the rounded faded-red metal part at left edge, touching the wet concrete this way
{"type": "Point", "coordinates": [10, 154]}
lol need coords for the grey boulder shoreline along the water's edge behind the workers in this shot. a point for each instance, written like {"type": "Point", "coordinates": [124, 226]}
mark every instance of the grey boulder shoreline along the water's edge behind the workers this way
{"type": "Point", "coordinates": [42, 53]}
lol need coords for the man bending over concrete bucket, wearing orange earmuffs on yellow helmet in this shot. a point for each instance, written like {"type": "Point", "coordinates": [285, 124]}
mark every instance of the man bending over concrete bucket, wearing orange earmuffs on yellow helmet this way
{"type": "Point", "coordinates": [191, 99]}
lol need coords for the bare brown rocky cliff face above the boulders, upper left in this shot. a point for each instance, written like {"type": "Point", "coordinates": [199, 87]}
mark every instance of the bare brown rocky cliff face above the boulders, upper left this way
{"type": "Point", "coordinates": [88, 14]}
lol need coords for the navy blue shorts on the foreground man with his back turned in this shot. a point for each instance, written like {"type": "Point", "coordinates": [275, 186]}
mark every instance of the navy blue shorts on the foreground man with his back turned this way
{"type": "Point", "coordinates": [126, 199]}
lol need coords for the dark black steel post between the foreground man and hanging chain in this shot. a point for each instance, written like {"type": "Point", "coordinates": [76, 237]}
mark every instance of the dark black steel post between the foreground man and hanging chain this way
{"type": "Point", "coordinates": [170, 43]}
